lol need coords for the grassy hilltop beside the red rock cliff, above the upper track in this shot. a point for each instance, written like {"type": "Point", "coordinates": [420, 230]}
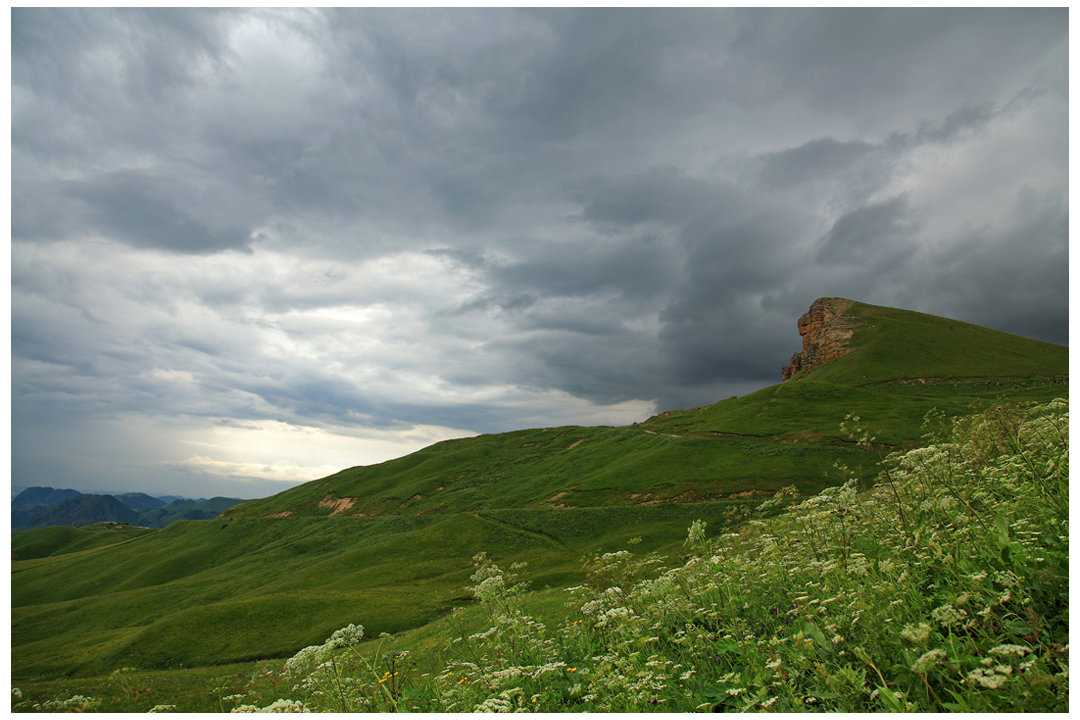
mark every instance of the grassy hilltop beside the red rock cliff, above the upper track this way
{"type": "Point", "coordinates": [903, 365]}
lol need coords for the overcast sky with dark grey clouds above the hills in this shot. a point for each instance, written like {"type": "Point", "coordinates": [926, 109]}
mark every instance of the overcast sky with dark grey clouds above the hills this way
{"type": "Point", "coordinates": [250, 249]}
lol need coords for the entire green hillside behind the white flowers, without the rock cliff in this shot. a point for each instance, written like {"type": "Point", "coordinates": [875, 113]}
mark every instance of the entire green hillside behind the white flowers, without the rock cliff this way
{"type": "Point", "coordinates": [389, 546]}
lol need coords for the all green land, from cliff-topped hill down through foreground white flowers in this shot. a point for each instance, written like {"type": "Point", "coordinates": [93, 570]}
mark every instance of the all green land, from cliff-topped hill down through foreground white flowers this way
{"type": "Point", "coordinates": [764, 553]}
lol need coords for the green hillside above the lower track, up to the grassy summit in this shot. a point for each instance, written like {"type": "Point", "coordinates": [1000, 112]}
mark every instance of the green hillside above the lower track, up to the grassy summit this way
{"type": "Point", "coordinates": [900, 365]}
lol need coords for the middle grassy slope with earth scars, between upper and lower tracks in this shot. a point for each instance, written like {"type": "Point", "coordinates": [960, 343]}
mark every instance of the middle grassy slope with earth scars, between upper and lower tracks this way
{"type": "Point", "coordinates": [571, 467]}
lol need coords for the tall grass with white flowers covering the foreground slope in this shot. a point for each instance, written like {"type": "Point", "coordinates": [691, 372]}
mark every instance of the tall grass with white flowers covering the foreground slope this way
{"type": "Point", "coordinates": [941, 585]}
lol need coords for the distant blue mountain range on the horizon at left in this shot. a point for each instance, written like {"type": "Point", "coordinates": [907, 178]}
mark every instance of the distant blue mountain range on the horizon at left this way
{"type": "Point", "coordinates": [43, 508]}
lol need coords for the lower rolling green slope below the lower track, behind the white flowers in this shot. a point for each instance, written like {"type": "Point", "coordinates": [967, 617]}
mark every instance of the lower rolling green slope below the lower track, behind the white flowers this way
{"type": "Point", "coordinates": [259, 589]}
